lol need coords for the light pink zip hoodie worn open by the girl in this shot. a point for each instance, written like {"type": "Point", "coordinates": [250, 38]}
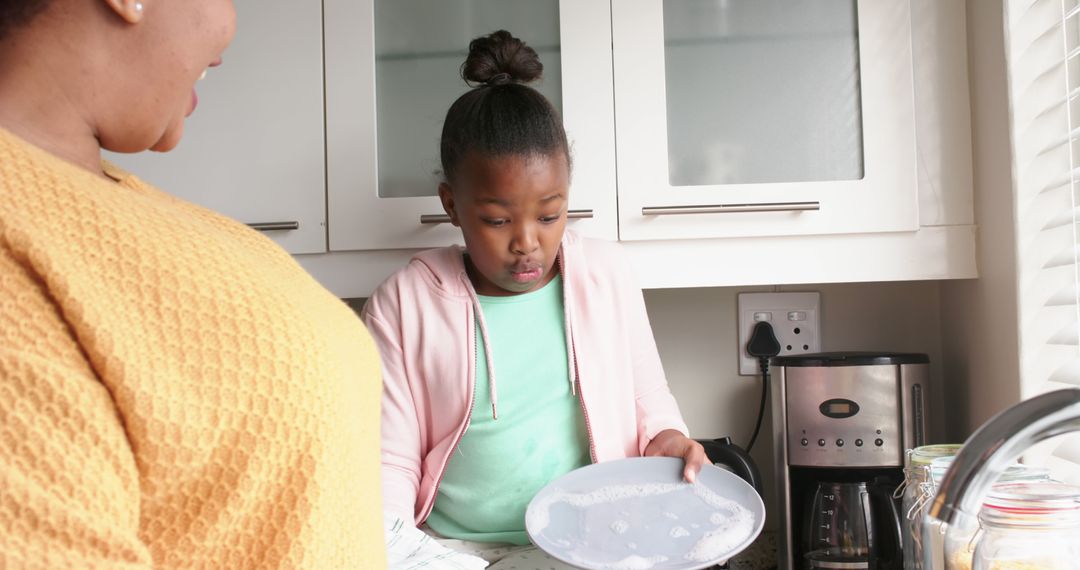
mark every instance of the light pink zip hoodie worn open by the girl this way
{"type": "Point", "coordinates": [423, 320]}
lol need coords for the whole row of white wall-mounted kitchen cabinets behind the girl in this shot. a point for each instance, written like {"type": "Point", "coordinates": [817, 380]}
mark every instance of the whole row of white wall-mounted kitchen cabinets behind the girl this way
{"type": "Point", "coordinates": [860, 111]}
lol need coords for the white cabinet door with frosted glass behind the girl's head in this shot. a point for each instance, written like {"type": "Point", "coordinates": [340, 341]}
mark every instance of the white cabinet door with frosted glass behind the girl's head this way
{"type": "Point", "coordinates": [393, 72]}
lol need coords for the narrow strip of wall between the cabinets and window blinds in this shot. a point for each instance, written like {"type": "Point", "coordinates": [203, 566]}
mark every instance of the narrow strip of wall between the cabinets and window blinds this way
{"type": "Point", "coordinates": [980, 317]}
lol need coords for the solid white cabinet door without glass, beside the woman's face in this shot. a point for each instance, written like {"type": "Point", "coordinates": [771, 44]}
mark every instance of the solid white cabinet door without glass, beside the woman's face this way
{"type": "Point", "coordinates": [254, 150]}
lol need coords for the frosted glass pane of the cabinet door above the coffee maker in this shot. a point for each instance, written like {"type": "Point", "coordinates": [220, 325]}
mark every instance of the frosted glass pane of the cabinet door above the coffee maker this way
{"type": "Point", "coordinates": [798, 61]}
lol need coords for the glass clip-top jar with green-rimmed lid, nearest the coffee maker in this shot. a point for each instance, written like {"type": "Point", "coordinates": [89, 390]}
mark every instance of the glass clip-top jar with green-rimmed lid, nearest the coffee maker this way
{"type": "Point", "coordinates": [912, 496]}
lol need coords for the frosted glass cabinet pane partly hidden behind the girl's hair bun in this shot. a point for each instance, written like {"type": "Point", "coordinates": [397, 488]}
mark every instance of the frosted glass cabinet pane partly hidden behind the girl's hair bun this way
{"type": "Point", "coordinates": [417, 76]}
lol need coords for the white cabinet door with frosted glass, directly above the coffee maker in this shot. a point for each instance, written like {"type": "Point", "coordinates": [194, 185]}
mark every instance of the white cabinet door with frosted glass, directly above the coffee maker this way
{"type": "Point", "coordinates": [758, 118]}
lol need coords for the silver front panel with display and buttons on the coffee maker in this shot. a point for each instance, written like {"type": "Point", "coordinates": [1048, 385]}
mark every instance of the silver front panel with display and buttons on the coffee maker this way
{"type": "Point", "coordinates": [845, 423]}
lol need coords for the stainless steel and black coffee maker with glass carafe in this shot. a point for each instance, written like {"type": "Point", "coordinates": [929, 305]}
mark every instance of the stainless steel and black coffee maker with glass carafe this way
{"type": "Point", "coordinates": [842, 426]}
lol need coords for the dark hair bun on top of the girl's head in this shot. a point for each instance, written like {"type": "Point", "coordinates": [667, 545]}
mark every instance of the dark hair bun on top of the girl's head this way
{"type": "Point", "coordinates": [499, 59]}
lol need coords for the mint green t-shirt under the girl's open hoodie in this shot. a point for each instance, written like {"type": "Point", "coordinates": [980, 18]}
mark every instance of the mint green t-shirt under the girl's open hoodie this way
{"type": "Point", "coordinates": [541, 435]}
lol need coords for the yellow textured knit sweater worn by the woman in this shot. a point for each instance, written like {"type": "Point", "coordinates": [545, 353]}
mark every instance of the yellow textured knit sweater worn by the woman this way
{"type": "Point", "coordinates": [175, 391]}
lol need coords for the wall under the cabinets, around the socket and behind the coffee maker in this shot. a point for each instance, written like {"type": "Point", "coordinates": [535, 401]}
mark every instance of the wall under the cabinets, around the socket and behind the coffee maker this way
{"type": "Point", "coordinates": [696, 334]}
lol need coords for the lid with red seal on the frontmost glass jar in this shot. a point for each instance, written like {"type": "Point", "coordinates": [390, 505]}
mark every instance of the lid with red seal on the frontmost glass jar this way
{"type": "Point", "coordinates": [1033, 504]}
